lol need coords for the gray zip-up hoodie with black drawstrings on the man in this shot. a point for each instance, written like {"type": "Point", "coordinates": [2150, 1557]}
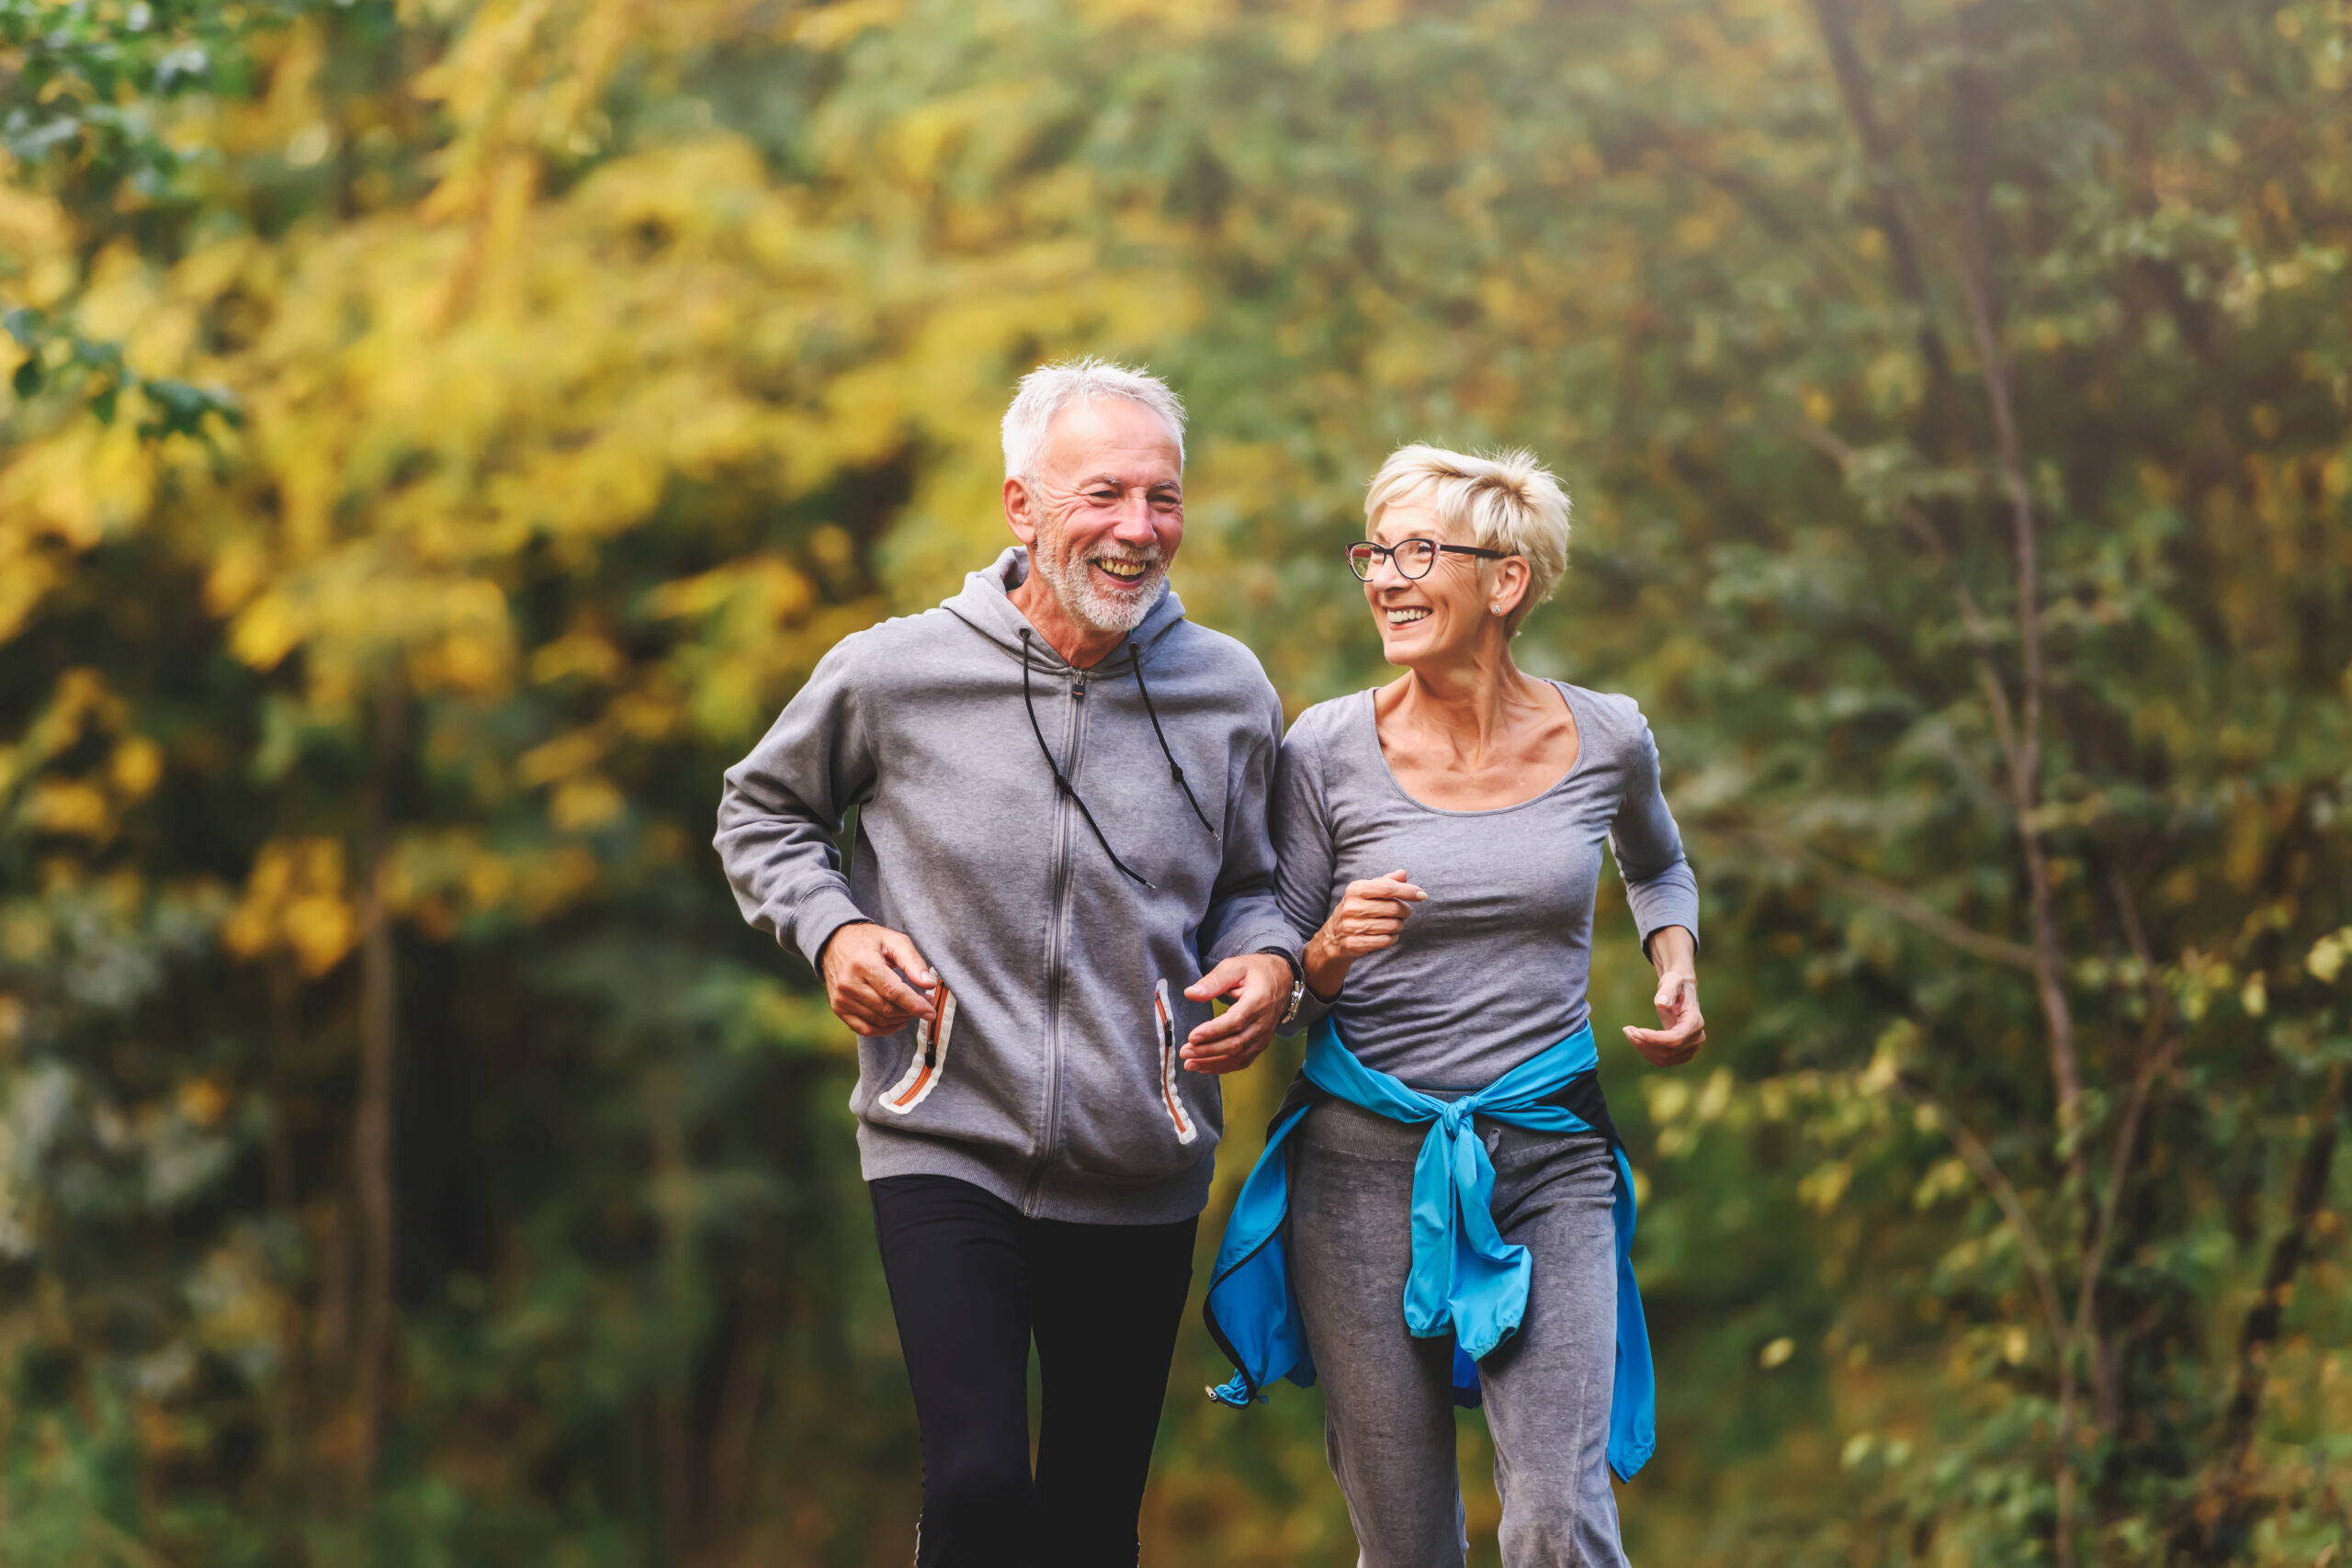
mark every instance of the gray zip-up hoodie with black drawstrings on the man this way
{"type": "Point", "coordinates": [1053, 1073]}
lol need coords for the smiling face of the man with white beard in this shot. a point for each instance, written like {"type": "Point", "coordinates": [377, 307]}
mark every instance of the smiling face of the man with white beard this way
{"type": "Point", "coordinates": [1107, 511]}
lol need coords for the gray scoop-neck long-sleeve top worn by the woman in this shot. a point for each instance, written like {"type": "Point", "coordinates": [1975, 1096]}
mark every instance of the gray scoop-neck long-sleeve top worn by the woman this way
{"type": "Point", "coordinates": [1495, 967]}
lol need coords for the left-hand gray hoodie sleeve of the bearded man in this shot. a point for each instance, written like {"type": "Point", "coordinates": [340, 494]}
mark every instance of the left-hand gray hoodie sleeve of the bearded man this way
{"type": "Point", "coordinates": [784, 805]}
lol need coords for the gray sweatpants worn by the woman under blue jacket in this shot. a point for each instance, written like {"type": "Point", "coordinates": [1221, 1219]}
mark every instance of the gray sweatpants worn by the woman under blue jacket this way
{"type": "Point", "coordinates": [1389, 1405]}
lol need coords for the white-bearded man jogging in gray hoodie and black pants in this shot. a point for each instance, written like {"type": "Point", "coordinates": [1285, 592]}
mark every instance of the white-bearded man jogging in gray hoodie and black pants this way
{"type": "Point", "coordinates": [1062, 862]}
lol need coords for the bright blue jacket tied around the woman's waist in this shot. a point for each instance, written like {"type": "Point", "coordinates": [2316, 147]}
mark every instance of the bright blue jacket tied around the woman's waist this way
{"type": "Point", "coordinates": [1466, 1280]}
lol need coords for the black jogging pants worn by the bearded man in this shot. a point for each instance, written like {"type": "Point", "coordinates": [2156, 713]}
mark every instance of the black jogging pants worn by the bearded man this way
{"type": "Point", "coordinates": [973, 1282]}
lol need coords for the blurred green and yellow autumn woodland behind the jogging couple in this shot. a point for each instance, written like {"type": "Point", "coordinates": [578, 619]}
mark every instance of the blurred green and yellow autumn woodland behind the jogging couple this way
{"type": "Point", "coordinates": [441, 434]}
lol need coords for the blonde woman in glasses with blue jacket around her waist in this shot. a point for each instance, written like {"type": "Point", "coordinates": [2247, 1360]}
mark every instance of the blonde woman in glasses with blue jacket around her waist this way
{"type": "Point", "coordinates": [1457, 1207]}
